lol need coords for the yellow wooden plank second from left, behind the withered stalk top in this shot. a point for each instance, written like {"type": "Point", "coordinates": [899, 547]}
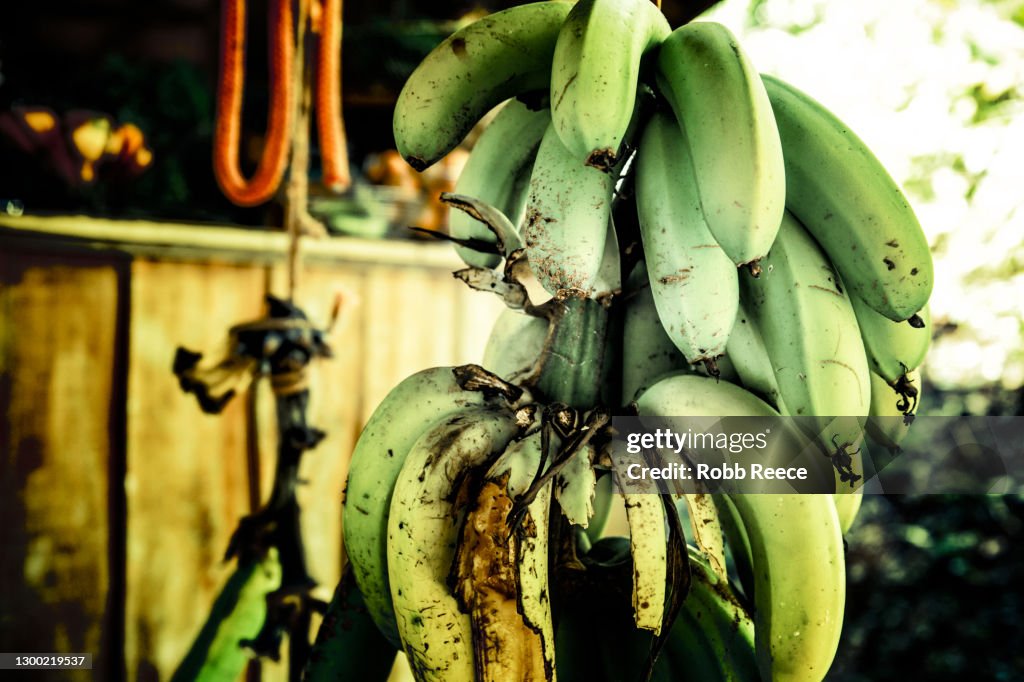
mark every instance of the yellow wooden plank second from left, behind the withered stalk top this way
{"type": "Point", "coordinates": [188, 475]}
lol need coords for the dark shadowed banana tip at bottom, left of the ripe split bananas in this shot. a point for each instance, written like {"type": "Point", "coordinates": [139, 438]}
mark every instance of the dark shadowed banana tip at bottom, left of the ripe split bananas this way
{"type": "Point", "coordinates": [350, 647]}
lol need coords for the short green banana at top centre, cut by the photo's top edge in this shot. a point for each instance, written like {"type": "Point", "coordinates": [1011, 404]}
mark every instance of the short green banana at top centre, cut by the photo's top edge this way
{"type": "Point", "coordinates": [595, 74]}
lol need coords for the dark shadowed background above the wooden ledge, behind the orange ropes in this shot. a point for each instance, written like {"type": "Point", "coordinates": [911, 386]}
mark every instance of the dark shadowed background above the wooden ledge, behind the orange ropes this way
{"type": "Point", "coordinates": [155, 65]}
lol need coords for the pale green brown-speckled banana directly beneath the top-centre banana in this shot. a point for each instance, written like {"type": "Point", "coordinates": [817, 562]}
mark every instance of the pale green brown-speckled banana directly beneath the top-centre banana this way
{"type": "Point", "coordinates": [567, 225]}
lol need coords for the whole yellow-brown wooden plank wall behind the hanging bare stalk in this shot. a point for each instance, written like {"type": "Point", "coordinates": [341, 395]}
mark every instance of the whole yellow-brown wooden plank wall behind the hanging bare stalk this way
{"type": "Point", "coordinates": [130, 577]}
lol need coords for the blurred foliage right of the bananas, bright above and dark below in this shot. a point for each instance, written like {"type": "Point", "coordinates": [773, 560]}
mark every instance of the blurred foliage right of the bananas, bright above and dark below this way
{"type": "Point", "coordinates": [936, 88]}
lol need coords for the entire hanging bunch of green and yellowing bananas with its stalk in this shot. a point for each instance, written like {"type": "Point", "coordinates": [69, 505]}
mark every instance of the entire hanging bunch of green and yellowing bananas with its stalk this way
{"type": "Point", "coordinates": [705, 242]}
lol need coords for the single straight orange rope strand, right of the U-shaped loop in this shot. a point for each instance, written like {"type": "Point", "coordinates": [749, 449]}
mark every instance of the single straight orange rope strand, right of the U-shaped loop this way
{"type": "Point", "coordinates": [330, 125]}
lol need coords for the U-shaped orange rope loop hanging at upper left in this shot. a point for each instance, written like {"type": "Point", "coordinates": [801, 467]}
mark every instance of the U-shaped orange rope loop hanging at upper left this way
{"type": "Point", "coordinates": [230, 95]}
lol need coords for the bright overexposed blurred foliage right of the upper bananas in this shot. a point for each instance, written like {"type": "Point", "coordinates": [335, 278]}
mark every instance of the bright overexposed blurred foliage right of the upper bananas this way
{"type": "Point", "coordinates": [936, 89]}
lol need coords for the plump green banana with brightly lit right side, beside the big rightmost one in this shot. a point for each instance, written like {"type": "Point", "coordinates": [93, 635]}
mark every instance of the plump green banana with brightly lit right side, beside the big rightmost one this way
{"type": "Point", "coordinates": [721, 103]}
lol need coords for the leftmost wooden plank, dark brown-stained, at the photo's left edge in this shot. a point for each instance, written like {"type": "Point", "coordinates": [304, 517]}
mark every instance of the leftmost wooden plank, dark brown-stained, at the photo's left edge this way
{"type": "Point", "coordinates": [59, 427]}
